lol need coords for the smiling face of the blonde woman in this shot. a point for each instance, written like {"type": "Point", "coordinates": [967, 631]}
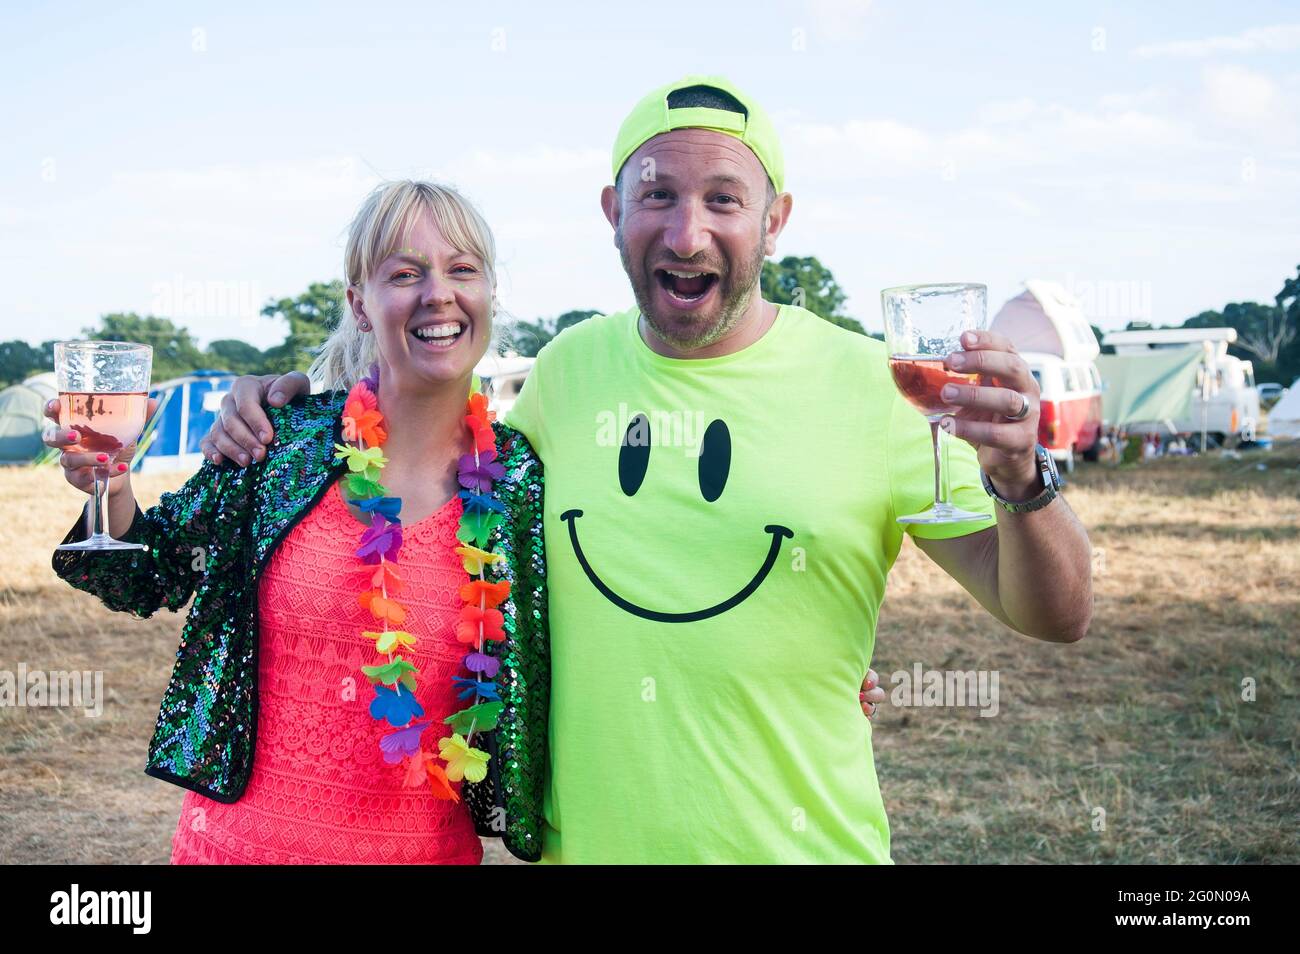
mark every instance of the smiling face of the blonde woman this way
{"type": "Point", "coordinates": [430, 309]}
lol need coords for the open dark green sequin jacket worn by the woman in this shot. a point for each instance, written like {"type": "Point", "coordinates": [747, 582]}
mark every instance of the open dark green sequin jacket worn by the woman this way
{"type": "Point", "coordinates": [214, 537]}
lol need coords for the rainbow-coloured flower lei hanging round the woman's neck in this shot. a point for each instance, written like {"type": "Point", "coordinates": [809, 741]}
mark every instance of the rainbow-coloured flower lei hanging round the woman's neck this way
{"type": "Point", "coordinates": [395, 679]}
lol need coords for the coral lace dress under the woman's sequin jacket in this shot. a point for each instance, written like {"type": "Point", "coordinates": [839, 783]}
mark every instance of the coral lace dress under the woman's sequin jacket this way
{"type": "Point", "coordinates": [320, 792]}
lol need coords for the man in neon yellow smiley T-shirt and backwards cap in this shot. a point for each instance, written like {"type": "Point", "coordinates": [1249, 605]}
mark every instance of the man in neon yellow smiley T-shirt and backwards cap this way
{"type": "Point", "coordinates": [723, 478]}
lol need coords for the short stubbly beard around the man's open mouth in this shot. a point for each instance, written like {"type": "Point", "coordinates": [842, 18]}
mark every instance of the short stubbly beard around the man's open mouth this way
{"type": "Point", "coordinates": [736, 290]}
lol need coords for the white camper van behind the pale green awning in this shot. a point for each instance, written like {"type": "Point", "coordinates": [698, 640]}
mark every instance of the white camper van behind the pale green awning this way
{"type": "Point", "coordinates": [1223, 401]}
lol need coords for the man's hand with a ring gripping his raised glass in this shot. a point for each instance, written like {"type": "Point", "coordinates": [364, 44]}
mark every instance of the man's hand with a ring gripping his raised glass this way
{"type": "Point", "coordinates": [1006, 446]}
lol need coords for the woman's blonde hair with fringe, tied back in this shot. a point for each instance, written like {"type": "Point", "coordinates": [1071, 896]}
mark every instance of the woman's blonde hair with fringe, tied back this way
{"type": "Point", "coordinates": [380, 229]}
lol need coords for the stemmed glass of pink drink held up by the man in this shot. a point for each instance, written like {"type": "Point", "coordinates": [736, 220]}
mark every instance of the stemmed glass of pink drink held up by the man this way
{"type": "Point", "coordinates": [924, 326]}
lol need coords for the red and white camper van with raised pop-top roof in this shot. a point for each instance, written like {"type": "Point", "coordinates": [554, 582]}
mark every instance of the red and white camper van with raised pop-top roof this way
{"type": "Point", "coordinates": [1048, 328]}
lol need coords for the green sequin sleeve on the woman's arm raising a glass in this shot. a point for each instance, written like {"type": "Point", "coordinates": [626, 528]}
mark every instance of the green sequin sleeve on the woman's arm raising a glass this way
{"type": "Point", "coordinates": [183, 535]}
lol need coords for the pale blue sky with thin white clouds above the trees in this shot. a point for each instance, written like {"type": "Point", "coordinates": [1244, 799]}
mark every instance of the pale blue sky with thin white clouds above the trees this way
{"type": "Point", "coordinates": [193, 161]}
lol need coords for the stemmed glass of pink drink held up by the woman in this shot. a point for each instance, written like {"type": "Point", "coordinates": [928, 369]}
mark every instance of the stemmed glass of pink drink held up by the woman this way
{"type": "Point", "coordinates": [103, 396]}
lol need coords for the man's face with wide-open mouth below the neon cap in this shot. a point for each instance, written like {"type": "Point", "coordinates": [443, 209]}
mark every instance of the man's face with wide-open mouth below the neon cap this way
{"type": "Point", "coordinates": [691, 220]}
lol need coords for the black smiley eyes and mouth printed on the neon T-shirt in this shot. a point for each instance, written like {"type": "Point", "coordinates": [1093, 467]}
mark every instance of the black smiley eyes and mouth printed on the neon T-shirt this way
{"type": "Point", "coordinates": [714, 469]}
